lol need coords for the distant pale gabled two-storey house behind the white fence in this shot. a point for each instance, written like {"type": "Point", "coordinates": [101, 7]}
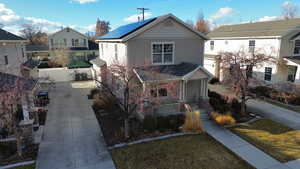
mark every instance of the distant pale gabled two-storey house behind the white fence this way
{"type": "Point", "coordinates": [72, 43]}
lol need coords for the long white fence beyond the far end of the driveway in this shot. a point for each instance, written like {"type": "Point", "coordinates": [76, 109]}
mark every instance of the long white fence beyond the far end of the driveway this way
{"type": "Point", "coordinates": [63, 74]}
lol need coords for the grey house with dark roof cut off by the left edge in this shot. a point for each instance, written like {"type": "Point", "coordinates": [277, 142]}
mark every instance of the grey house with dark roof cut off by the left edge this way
{"type": "Point", "coordinates": [12, 53]}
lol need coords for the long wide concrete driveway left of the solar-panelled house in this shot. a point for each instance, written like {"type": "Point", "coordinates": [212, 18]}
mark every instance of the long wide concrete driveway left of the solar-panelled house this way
{"type": "Point", "coordinates": [72, 137]}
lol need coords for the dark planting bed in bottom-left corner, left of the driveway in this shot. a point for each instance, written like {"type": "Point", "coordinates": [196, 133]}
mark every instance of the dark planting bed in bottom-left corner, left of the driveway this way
{"type": "Point", "coordinates": [8, 154]}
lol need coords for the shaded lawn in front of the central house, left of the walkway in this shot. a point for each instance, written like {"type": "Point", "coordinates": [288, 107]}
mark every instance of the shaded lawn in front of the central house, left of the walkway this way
{"type": "Point", "coordinates": [185, 152]}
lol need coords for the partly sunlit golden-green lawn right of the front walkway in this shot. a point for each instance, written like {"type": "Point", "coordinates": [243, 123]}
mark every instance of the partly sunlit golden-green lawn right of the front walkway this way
{"type": "Point", "coordinates": [273, 138]}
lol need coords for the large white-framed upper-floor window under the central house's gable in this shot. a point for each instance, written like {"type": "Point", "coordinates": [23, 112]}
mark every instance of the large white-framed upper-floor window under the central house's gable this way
{"type": "Point", "coordinates": [162, 53]}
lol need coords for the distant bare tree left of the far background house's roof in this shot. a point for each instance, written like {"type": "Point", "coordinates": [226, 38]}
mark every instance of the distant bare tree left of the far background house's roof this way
{"type": "Point", "coordinates": [34, 34]}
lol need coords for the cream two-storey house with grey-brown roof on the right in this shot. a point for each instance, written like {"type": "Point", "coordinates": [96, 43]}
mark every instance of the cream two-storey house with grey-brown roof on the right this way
{"type": "Point", "coordinates": [280, 39]}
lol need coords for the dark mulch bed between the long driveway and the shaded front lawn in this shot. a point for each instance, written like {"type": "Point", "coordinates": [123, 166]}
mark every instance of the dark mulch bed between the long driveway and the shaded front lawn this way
{"type": "Point", "coordinates": [112, 125]}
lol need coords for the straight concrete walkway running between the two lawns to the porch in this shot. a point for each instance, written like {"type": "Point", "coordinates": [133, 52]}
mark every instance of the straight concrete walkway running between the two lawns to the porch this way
{"type": "Point", "coordinates": [242, 148]}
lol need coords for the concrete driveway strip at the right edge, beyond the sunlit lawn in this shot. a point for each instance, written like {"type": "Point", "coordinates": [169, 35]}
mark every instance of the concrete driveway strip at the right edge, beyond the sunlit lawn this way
{"type": "Point", "coordinates": [284, 116]}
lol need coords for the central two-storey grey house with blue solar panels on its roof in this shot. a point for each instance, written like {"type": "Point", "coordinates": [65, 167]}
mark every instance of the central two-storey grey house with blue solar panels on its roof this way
{"type": "Point", "coordinates": [173, 49]}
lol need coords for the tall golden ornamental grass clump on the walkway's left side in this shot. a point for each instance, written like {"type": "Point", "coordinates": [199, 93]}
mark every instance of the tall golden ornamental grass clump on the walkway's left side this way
{"type": "Point", "coordinates": [192, 122]}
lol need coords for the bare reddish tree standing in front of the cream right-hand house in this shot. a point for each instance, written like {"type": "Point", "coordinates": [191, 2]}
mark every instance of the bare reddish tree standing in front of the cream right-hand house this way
{"type": "Point", "coordinates": [238, 67]}
